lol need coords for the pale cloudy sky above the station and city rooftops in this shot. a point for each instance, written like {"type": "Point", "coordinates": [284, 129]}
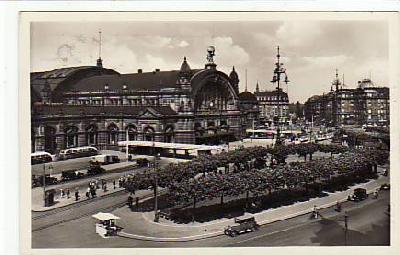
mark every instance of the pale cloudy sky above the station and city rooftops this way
{"type": "Point", "coordinates": [310, 50]}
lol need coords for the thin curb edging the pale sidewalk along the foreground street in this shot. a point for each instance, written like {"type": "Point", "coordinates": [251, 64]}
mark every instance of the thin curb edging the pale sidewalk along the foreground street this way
{"type": "Point", "coordinates": [219, 233]}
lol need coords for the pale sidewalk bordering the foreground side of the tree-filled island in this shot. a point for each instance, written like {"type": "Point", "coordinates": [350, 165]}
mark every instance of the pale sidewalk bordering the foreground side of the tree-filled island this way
{"type": "Point", "coordinates": [141, 225]}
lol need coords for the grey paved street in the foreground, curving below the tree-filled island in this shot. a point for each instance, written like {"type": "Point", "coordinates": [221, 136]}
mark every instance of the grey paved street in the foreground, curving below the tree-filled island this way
{"type": "Point", "coordinates": [368, 225]}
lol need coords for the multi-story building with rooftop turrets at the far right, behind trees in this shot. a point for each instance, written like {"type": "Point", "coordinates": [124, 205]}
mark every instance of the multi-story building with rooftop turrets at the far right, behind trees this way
{"type": "Point", "coordinates": [365, 105]}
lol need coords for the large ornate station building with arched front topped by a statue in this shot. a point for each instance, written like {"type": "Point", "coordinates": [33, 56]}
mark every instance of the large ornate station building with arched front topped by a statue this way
{"type": "Point", "coordinates": [91, 105]}
